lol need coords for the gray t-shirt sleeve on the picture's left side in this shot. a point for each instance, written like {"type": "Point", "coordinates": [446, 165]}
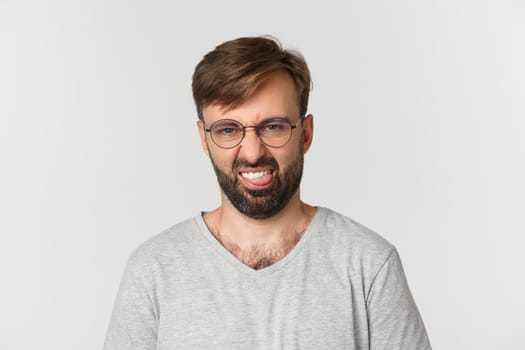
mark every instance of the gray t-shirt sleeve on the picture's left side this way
{"type": "Point", "coordinates": [134, 320]}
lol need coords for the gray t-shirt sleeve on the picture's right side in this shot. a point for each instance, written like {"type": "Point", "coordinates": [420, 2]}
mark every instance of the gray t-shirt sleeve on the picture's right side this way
{"type": "Point", "coordinates": [394, 320]}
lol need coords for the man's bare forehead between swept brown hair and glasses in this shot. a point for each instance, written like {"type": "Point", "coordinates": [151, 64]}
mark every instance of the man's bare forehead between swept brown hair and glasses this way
{"type": "Point", "coordinates": [276, 96]}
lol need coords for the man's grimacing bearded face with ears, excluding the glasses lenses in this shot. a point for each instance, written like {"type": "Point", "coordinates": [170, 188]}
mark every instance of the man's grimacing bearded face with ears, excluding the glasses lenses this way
{"type": "Point", "coordinates": [259, 181]}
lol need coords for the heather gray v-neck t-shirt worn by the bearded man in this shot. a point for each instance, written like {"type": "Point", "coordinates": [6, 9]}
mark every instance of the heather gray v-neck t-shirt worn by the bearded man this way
{"type": "Point", "coordinates": [341, 287]}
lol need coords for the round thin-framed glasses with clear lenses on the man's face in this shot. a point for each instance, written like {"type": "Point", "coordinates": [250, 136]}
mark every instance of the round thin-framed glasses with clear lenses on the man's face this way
{"type": "Point", "coordinates": [273, 132]}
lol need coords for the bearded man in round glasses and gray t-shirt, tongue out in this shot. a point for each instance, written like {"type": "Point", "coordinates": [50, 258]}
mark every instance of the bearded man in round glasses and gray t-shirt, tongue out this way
{"type": "Point", "coordinates": [264, 270]}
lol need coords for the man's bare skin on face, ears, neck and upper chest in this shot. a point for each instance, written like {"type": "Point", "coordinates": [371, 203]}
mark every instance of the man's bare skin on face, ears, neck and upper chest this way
{"type": "Point", "coordinates": [259, 242]}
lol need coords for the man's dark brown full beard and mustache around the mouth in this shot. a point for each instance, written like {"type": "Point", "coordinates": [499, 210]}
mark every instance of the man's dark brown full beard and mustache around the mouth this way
{"type": "Point", "coordinates": [261, 204]}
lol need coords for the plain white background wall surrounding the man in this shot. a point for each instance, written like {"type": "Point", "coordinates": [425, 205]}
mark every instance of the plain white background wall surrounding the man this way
{"type": "Point", "coordinates": [419, 109]}
